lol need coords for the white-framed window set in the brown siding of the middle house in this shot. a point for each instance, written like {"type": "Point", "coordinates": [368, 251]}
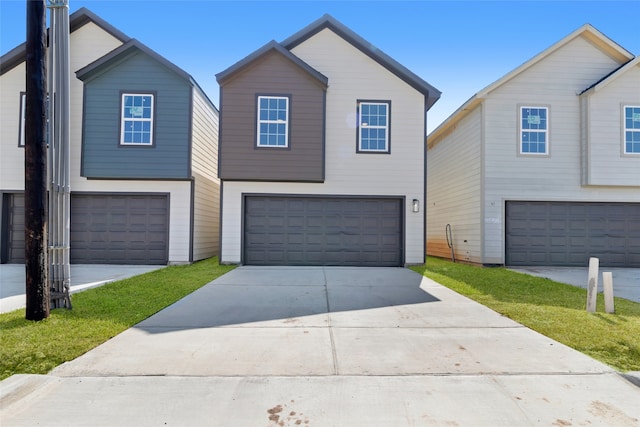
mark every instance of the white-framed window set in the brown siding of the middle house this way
{"type": "Point", "coordinates": [273, 121]}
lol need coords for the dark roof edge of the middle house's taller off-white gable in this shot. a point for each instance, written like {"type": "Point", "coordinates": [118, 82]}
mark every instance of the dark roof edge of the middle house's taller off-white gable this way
{"type": "Point", "coordinates": [329, 22]}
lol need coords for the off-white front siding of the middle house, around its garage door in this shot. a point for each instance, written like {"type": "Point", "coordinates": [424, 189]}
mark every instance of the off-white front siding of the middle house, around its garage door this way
{"type": "Point", "coordinates": [352, 75]}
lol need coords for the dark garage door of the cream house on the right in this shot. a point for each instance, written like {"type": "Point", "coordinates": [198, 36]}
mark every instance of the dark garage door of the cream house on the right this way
{"type": "Point", "coordinates": [568, 233]}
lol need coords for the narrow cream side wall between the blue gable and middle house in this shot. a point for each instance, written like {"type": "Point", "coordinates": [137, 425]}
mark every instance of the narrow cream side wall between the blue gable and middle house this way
{"type": "Point", "coordinates": [204, 167]}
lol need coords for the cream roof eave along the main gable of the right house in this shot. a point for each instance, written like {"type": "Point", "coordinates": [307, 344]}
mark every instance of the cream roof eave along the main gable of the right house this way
{"type": "Point", "coordinates": [587, 31]}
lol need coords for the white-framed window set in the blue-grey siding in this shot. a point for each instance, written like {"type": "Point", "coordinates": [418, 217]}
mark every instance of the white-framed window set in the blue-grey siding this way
{"type": "Point", "coordinates": [136, 126]}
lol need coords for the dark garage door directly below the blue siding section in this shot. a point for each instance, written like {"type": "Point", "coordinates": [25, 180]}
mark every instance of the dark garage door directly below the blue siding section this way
{"type": "Point", "coordinates": [119, 229]}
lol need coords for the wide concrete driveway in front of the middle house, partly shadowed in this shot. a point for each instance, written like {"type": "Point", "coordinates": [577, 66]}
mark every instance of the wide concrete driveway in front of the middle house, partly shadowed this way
{"type": "Point", "coordinates": [325, 346]}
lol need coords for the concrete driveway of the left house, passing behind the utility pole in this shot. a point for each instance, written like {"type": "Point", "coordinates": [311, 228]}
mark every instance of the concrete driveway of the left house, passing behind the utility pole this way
{"type": "Point", "coordinates": [83, 276]}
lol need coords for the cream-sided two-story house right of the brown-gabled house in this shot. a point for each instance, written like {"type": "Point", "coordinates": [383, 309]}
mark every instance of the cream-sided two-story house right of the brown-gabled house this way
{"type": "Point", "coordinates": [542, 167]}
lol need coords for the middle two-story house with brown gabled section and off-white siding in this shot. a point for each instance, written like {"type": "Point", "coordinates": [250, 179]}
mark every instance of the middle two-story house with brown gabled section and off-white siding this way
{"type": "Point", "coordinates": [351, 180]}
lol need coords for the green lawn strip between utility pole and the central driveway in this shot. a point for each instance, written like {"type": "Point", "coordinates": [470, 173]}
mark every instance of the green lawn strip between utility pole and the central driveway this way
{"type": "Point", "coordinates": [98, 314]}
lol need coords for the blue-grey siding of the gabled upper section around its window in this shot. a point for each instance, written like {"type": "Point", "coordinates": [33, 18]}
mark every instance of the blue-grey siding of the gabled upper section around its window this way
{"type": "Point", "coordinates": [103, 156]}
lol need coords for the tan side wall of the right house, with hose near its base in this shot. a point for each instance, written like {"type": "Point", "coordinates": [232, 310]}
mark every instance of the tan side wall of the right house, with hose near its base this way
{"type": "Point", "coordinates": [454, 174]}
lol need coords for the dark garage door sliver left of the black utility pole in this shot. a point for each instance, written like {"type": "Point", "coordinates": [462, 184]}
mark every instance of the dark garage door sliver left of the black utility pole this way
{"type": "Point", "coordinates": [13, 228]}
